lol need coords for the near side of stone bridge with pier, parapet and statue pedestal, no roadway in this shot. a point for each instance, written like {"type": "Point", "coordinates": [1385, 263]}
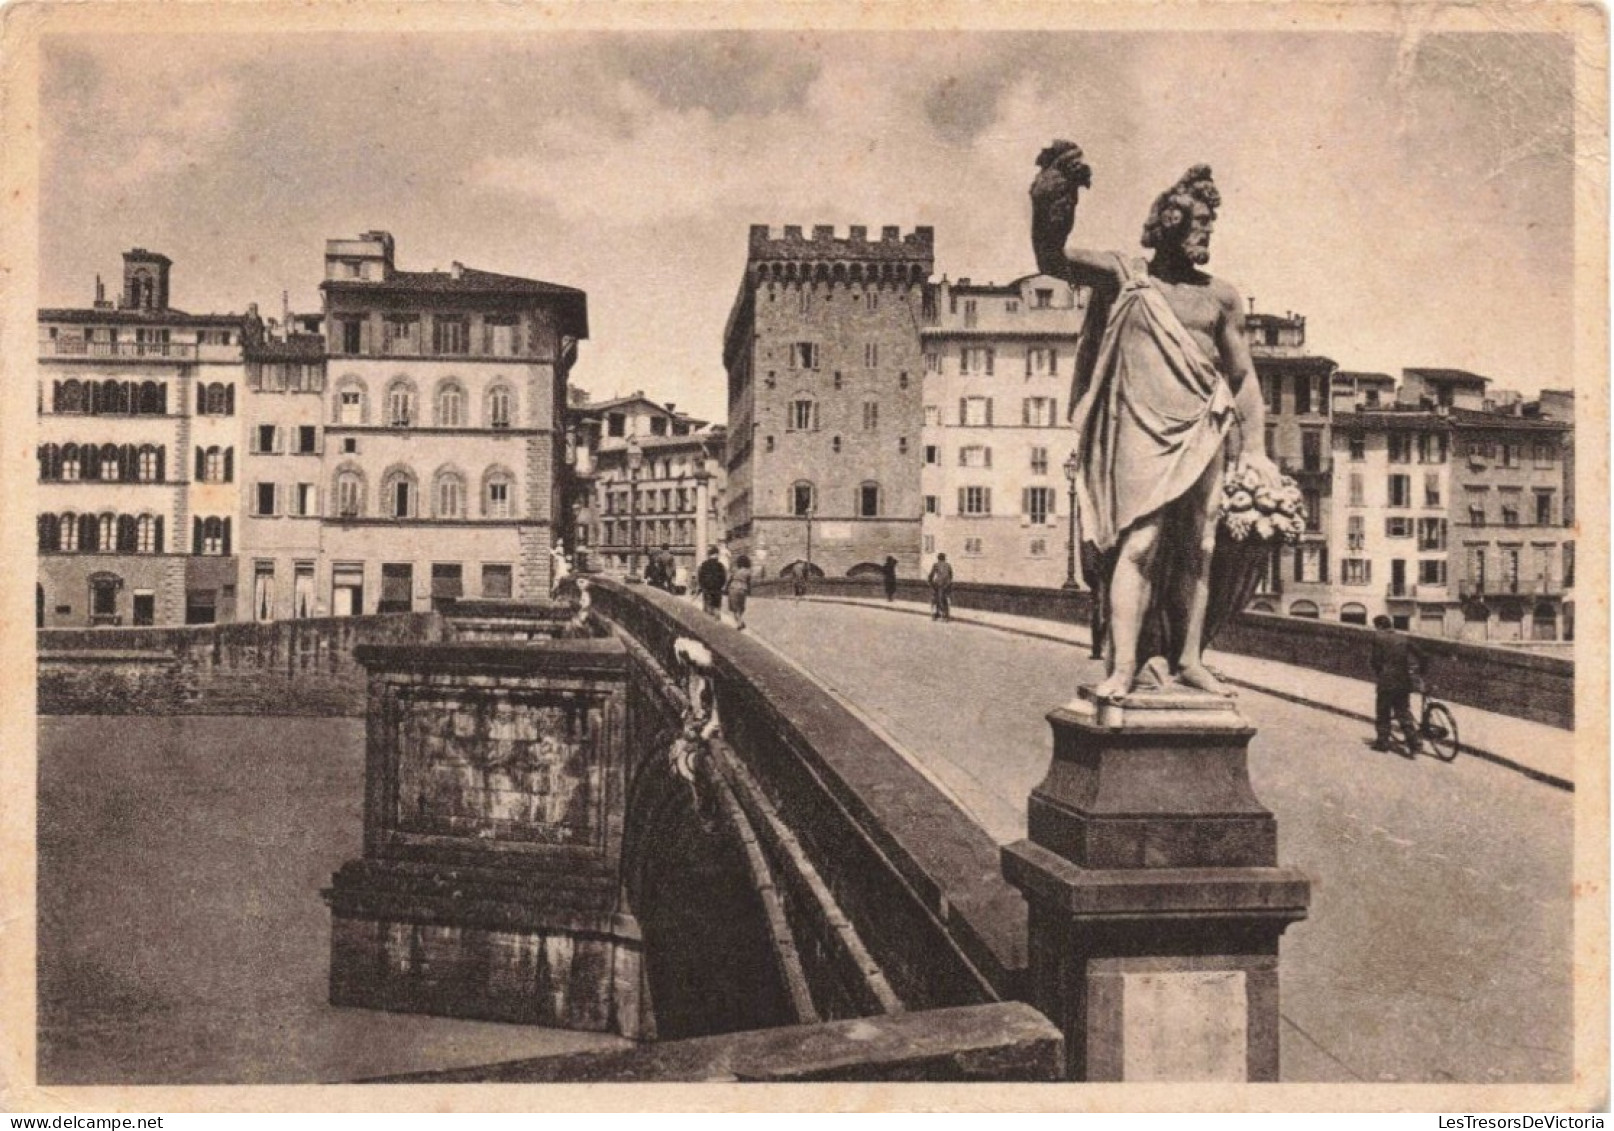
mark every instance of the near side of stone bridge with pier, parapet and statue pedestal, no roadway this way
{"type": "Point", "coordinates": [635, 819]}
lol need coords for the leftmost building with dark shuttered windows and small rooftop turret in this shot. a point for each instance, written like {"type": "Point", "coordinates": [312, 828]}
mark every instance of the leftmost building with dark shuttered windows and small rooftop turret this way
{"type": "Point", "coordinates": [140, 420]}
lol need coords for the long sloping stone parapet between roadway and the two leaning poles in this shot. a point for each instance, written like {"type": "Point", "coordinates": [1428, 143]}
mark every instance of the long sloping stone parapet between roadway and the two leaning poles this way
{"type": "Point", "coordinates": [918, 879]}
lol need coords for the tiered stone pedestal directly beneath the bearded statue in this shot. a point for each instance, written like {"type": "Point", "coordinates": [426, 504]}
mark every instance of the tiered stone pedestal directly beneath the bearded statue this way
{"type": "Point", "coordinates": [1155, 895]}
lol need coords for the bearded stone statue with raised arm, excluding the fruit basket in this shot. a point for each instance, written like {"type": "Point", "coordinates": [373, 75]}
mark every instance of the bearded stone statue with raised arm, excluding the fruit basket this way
{"type": "Point", "coordinates": [1165, 378]}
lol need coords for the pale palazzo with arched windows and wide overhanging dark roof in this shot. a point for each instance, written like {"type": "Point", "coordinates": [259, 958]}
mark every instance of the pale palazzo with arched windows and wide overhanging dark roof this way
{"type": "Point", "coordinates": [445, 432]}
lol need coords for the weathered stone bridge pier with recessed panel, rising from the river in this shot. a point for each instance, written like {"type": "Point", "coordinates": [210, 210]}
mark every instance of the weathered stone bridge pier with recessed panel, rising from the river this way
{"type": "Point", "coordinates": [488, 887]}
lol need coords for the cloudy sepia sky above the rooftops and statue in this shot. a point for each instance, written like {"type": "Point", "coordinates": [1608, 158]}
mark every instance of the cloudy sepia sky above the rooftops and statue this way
{"type": "Point", "coordinates": [1410, 194]}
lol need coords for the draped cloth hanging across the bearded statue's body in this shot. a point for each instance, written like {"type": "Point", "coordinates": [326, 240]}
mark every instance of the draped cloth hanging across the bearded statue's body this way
{"type": "Point", "coordinates": [1153, 415]}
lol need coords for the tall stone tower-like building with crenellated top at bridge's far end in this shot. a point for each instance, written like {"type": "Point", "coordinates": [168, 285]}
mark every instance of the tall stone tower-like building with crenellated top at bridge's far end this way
{"type": "Point", "coordinates": [824, 399]}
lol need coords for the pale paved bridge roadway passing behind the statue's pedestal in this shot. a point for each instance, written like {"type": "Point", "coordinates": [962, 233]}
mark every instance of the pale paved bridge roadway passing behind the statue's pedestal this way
{"type": "Point", "coordinates": [1439, 941]}
